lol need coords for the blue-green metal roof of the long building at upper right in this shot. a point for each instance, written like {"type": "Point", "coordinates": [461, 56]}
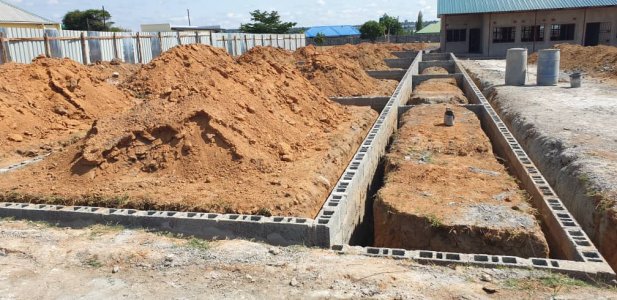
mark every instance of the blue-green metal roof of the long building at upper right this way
{"type": "Point", "coordinates": [450, 7]}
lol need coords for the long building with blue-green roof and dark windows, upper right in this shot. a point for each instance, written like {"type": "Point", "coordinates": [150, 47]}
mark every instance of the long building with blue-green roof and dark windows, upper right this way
{"type": "Point", "coordinates": [491, 27]}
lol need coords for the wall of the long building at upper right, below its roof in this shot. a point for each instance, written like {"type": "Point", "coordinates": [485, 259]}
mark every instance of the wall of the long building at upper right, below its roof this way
{"type": "Point", "coordinates": [487, 22]}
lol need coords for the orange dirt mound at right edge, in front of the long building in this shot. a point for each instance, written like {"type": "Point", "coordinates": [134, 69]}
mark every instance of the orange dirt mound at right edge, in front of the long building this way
{"type": "Point", "coordinates": [597, 61]}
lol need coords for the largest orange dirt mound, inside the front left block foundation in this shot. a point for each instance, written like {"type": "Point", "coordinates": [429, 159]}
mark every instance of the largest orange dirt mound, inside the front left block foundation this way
{"type": "Point", "coordinates": [213, 135]}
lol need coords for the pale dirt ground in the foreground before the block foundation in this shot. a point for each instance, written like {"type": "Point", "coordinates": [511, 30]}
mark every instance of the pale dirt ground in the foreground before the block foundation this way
{"type": "Point", "coordinates": [39, 261]}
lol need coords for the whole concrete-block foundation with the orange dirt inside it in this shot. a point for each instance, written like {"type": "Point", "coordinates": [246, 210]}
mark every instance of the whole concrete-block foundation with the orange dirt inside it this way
{"type": "Point", "coordinates": [315, 147]}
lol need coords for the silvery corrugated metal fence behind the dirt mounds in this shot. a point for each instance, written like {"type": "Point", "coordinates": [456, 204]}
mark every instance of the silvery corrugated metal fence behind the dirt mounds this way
{"type": "Point", "coordinates": [23, 45]}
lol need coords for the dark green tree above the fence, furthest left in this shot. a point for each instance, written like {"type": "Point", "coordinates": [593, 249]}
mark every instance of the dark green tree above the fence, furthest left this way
{"type": "Point", "coordinates": [91, 19]}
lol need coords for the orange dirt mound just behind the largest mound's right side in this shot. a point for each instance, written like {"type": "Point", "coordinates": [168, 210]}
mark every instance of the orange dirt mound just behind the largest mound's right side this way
{"type": "Point", "coordinates": [338, 75]}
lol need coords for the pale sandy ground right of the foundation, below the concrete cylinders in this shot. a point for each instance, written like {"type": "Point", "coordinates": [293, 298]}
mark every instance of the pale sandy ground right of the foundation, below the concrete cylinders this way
{"type": "Point", "coordinates": [570, 134]}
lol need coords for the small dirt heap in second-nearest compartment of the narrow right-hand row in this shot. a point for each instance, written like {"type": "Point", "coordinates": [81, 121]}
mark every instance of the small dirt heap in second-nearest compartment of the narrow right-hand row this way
{"type": "Point", "coordinates": [438, 90]}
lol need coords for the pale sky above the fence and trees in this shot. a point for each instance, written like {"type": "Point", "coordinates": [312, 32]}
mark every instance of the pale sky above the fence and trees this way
{"type": "Point", "coordinates": [231, 13]}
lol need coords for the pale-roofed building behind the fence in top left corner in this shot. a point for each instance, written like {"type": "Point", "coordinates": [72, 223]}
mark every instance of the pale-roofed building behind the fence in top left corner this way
{"type": "Point", "coordinates": [12, 16]}
